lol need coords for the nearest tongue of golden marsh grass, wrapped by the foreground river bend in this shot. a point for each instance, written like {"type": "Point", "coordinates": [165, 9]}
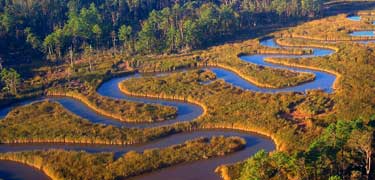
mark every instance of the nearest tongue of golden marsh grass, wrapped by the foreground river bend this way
{"type": "Point", "coordinates": [59, 164]}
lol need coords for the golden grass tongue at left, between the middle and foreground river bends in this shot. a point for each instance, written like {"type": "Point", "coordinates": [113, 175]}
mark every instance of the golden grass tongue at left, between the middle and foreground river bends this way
{"type": "Point", "coordinates": [50, 122]}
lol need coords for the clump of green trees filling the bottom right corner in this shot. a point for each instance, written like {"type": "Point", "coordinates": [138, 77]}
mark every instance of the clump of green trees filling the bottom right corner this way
{"type": "Point", "coordinates": [334, 152]}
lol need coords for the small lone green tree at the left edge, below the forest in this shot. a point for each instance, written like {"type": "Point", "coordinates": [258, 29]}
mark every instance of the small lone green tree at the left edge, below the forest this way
{"type": "Point", "coordinates": [11, 79]}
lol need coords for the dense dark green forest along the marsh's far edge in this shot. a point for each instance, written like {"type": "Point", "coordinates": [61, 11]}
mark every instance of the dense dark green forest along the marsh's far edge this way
{"type": "Point", "coordinates": [63, 28]}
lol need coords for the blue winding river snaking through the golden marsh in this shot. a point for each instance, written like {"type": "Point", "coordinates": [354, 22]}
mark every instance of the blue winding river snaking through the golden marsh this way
{"type": "Point", "coordinates": [186, 112]}
